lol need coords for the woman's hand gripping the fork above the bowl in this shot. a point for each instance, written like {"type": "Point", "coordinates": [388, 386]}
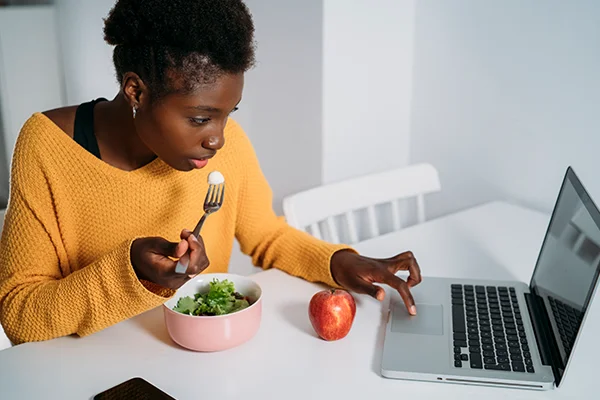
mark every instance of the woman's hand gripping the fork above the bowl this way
{"type": "Point", "coordinates": [151, 258]}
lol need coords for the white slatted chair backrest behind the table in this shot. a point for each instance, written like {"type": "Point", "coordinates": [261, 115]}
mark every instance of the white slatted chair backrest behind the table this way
{"type": "Point", "coordinates": [322, 206]}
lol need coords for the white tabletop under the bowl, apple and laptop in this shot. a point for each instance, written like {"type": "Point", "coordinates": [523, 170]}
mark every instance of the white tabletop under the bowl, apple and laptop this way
{"type": "Point", "coordinates": [285, 359]}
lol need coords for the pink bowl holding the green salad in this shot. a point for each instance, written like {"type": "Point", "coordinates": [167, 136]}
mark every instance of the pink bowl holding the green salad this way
{"type": "Point", "coordinates": [214, 333]}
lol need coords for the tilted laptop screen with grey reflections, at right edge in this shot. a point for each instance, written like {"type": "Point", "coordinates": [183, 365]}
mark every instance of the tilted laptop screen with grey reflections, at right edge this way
{"type": "Point", "coordinates": [569, 262]}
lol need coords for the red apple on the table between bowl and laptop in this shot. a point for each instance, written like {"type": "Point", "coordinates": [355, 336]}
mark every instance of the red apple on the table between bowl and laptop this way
{"type": "Point", "coordinates": [331, 313]}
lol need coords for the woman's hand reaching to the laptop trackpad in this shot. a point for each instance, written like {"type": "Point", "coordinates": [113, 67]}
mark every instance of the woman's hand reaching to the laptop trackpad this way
{"type": "Point", "coordinates": [359, 273]}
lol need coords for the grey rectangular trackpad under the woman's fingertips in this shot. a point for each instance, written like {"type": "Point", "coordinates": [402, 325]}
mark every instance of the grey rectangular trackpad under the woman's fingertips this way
{"type": "Point", "coordinates": [428, 321]}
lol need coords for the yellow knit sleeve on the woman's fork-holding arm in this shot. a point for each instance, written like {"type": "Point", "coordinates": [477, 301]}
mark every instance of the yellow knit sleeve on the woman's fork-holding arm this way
{"type": "Point", "coordinates": [39, 298]}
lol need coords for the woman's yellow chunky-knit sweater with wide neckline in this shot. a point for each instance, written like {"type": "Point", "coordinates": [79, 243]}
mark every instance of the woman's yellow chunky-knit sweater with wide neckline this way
{"type": "Point", "coordinates": [64, 254]}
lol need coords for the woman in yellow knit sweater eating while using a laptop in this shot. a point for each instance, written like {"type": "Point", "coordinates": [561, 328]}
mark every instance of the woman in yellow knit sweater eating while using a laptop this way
{"type": "Point", "coordinates": [100, 192]}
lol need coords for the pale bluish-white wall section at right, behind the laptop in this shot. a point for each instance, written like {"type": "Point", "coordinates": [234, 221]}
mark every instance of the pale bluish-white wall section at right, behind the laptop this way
{"type": "Point", "coordinates": [505, 96]}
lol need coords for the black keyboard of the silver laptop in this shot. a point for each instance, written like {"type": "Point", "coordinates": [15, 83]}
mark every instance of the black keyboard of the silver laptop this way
{"type": "Point", "coordinates": [488, 331]}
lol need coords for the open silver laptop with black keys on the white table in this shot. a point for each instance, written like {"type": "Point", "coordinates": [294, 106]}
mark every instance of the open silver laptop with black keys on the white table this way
{"type": "Point", "coordinates": [504, 333]}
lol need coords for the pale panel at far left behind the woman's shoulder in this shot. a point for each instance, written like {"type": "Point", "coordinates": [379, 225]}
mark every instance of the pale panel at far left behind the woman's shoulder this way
{"type": "Point", "coordinates": [30, 74]}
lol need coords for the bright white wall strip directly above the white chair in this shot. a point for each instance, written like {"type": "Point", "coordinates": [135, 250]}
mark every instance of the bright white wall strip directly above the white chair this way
{"type": "Point", "coordinates": [367, 86]}
